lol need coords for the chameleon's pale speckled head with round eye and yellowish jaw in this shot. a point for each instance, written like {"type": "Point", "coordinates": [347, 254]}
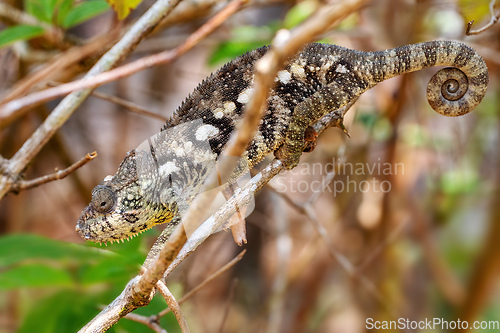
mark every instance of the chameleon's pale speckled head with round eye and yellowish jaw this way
{"type": "Point", "coordinates": [119, 209]}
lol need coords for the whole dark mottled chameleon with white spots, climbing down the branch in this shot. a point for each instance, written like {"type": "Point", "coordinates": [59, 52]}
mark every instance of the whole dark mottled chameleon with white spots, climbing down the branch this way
{"type": "Point", "coordinates": [155, 184]}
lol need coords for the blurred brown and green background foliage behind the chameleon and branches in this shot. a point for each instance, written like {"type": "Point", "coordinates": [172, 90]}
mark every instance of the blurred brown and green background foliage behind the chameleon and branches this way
{"type": "Point", "coordinates": [429, 246]}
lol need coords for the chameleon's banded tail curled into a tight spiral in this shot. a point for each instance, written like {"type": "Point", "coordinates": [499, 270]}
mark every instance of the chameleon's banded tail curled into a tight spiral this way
{"type": "Point", "coordinates": [452, 91]}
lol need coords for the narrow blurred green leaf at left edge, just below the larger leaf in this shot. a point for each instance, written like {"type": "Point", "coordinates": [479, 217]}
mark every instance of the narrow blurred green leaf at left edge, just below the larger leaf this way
{"type": "Point", "coordinates": [34, 275]}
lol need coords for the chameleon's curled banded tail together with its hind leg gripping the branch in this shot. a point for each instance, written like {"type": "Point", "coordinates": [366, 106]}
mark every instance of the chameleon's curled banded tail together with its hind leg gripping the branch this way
{"type": "Point", "coordinates": [450, 92]}
